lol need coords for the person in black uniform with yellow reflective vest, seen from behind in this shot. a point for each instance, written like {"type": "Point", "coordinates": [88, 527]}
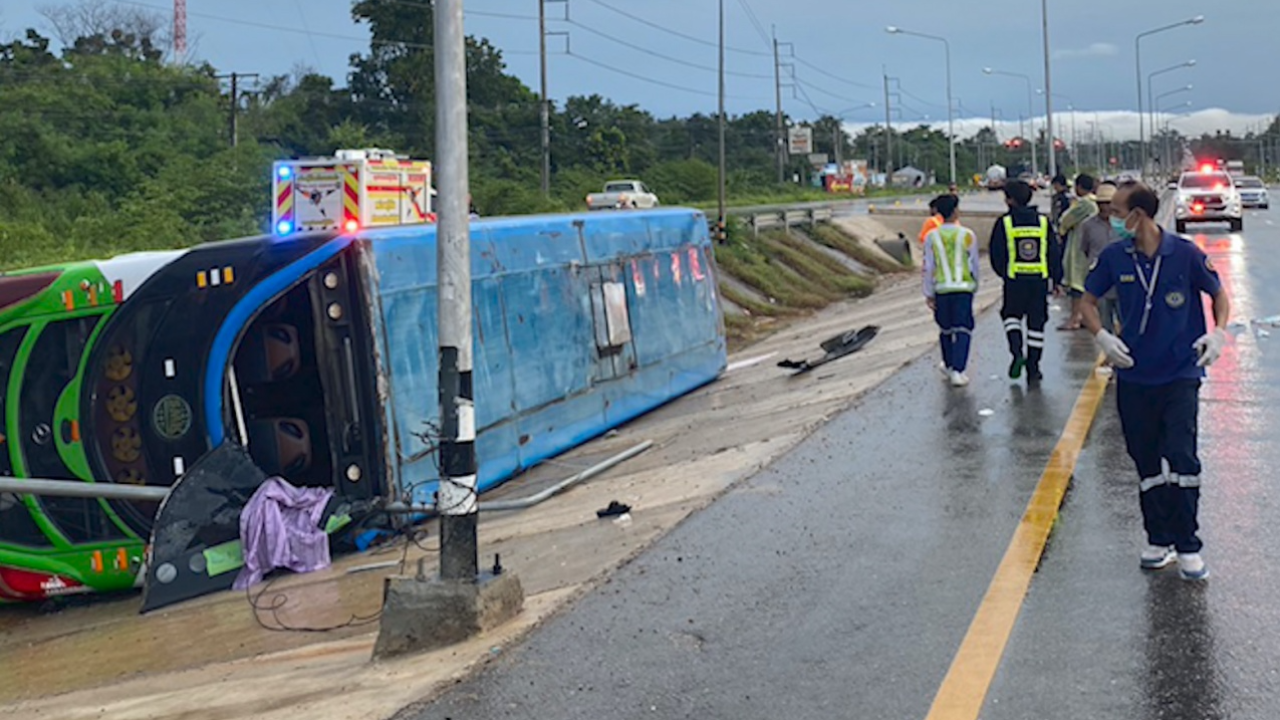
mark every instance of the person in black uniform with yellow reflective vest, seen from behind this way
{"type": "Point", "coordinates": [1025, 253]}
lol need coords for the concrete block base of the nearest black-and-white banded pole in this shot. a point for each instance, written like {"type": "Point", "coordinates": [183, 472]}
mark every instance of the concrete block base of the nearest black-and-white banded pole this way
{"type": "Point", "coordinates": [422, 616]}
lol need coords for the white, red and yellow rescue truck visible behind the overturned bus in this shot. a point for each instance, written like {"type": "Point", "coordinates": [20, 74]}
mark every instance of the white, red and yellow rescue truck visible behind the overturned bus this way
{"type": "Point", "coordinates": [350, 192]}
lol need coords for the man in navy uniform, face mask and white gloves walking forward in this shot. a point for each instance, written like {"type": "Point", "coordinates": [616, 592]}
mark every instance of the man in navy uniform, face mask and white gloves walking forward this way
{"type": "Point", "coordinates": [1160, 361]}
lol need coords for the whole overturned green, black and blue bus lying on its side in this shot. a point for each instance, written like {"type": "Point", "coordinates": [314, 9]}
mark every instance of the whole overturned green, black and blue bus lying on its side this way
{"type": "Point", "coordinates": [317, 354]}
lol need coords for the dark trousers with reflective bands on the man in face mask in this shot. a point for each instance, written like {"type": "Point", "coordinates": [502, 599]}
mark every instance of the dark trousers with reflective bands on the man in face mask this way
{"type": "Point", "coordinates": [1160, 427]}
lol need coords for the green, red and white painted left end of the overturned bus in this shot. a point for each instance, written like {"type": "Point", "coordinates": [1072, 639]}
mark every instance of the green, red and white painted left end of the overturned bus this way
{"type": "Point", "coordinates": [49, 321]}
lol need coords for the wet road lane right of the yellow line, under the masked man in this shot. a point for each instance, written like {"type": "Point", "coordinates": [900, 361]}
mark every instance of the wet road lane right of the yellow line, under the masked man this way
{"type": "Point", "coordinates": [1099, 639]}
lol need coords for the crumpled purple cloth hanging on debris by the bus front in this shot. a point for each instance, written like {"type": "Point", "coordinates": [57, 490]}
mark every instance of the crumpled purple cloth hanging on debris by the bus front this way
{"type": "Point", "coordinates": [280, 528]}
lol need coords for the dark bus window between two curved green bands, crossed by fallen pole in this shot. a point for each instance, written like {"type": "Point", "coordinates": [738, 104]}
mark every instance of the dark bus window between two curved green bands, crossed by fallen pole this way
{"type": "Point", "coordinates": [51, 367]}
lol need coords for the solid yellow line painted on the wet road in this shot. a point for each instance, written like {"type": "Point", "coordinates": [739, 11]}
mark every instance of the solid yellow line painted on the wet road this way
{"type": "Point", "coordinates": [964, 690]}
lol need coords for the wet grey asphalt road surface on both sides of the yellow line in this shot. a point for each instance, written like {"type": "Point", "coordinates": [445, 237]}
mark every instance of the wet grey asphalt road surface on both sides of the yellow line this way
{"type": "Point", "coordinates": [840, 582]}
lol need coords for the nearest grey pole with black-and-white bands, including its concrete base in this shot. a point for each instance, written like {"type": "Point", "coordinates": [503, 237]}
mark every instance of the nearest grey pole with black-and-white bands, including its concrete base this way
{"type": "Point", "coordinates": [419, 614]}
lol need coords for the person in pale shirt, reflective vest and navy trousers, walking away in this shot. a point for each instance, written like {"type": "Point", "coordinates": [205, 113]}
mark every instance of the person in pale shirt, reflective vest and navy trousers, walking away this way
{"type": "Point", "coordinates": [950, 281]}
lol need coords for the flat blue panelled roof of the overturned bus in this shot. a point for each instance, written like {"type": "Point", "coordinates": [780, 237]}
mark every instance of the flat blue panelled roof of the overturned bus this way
{"type": "Point", "coordinates": [547, 376]}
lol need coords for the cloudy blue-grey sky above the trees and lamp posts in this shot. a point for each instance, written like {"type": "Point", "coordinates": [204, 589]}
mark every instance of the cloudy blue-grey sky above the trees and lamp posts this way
{"type": "Point", "coordinates": [840, 48]}
